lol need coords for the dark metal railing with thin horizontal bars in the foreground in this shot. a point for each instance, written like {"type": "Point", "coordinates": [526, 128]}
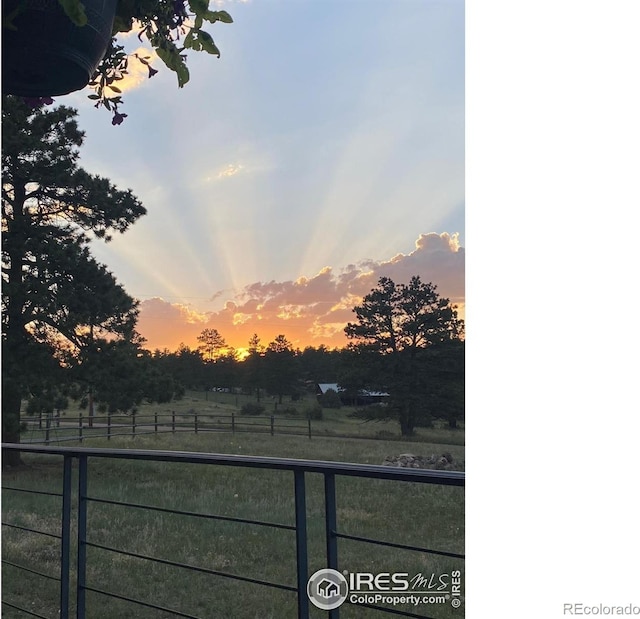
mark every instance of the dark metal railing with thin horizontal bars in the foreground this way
{"type": "Point", "coordinates": [81, 457]}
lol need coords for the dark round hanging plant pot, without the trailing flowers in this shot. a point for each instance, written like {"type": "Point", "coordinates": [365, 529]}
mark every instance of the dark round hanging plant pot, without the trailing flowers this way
{"type": "Point", "coordinates": [48, 55]}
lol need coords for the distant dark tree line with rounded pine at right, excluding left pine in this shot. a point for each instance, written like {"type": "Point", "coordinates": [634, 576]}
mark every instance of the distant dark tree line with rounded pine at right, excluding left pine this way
{"type": "Point", "coordinates": [406, 343]}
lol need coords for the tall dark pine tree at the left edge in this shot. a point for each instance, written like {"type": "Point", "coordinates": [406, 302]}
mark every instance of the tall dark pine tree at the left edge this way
{"type": "Point", "coordinates": [51, 287]}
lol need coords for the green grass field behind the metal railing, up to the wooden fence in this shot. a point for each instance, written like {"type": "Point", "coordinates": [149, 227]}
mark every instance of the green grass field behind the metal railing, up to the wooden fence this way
{"type": "Point", "coordinates": [406, 513]}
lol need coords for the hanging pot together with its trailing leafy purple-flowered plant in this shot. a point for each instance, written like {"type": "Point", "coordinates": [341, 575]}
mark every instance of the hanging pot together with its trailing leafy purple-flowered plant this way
{"type": "Point", "coordinates": [54, 47]}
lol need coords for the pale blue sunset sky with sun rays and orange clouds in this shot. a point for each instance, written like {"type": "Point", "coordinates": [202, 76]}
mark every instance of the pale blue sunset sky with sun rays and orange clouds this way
{"type": "Point", "coordinates": [324, 149]}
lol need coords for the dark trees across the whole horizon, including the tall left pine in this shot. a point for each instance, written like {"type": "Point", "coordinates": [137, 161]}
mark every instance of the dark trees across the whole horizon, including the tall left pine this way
{"type": "Point", "coordinates": [69, 327]}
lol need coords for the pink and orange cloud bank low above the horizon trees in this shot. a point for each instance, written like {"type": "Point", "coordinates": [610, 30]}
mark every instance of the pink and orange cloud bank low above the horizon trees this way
{"type": "Point", "coordinates": [310, 310]}
